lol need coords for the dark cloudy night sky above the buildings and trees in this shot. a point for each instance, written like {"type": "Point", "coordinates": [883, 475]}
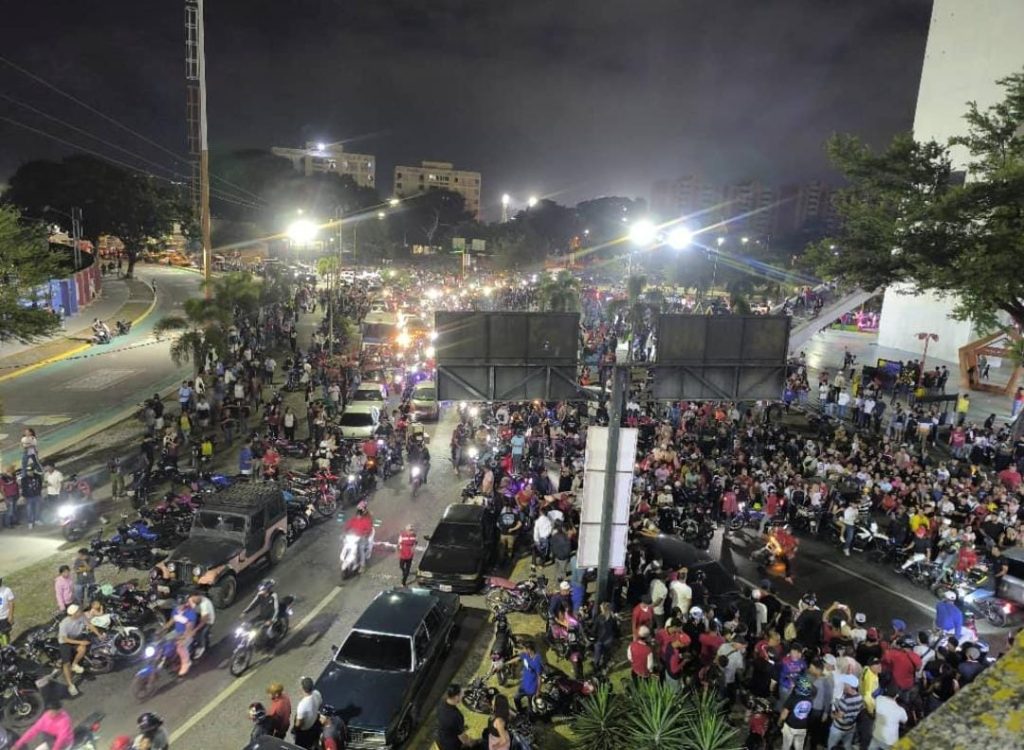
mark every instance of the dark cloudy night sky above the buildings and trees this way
{"type": "Point", "coordinates": [567, 99]}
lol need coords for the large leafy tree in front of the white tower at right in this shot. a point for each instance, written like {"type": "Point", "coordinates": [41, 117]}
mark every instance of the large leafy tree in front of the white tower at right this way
{"type": "Point", "coordinates": [907, 218]}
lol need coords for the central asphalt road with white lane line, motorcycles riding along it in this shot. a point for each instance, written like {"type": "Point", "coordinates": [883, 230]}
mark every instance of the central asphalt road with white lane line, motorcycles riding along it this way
{"type": "Point", "coordinates": [209, 707]}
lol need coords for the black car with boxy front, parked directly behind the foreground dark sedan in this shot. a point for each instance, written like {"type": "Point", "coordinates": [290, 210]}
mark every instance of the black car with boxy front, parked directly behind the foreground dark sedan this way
{"type": "Point", "coordinates": [459, 552]}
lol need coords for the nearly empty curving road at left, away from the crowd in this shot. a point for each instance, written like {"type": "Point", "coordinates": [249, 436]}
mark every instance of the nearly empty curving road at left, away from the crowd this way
{"type": "Point", "coordinates": [70, 398]}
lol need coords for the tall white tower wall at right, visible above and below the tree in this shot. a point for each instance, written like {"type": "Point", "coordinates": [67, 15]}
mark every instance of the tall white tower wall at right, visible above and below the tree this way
{"type": "Point", "coordinates": [971, 45]}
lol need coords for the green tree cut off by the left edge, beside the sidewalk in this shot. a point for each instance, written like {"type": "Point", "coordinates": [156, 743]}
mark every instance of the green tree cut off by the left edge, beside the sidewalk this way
{"type": "Point", "coordinates": [26, 265]}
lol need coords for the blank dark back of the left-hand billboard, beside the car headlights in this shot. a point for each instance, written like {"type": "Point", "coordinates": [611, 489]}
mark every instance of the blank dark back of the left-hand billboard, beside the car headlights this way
{"type": "Point", "coordinates": [507, 356]}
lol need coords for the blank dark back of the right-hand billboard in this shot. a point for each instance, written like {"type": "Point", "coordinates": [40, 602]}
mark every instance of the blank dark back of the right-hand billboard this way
{"type": "Point", "coordinates": [714, 358]}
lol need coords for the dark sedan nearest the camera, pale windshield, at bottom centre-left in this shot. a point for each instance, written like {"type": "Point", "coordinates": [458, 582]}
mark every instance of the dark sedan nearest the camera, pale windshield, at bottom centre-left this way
{"type": "Point", "coordinates": [386, 669]}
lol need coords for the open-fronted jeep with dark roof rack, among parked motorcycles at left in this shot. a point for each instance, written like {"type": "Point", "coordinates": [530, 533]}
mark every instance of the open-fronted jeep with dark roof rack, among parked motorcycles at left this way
{"type": "Point", "coordinates": [234, 531]}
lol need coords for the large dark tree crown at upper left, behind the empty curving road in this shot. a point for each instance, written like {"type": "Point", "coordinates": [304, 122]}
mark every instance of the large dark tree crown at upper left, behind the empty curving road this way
{"type": "Point", "coordinates": [130, 205]}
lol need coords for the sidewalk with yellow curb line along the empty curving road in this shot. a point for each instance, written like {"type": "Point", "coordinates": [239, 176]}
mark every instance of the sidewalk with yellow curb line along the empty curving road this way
{"type": "Point", "coordinates": [121, 300]}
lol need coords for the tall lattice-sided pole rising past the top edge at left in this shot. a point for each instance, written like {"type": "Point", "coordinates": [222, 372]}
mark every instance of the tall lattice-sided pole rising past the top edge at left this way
{"type": "Point", "coordinates": [196, 115]}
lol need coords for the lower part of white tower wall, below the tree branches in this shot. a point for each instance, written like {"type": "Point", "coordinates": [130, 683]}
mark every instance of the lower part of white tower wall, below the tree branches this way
{"type": "Point", "coordinates": [905, 316]}
